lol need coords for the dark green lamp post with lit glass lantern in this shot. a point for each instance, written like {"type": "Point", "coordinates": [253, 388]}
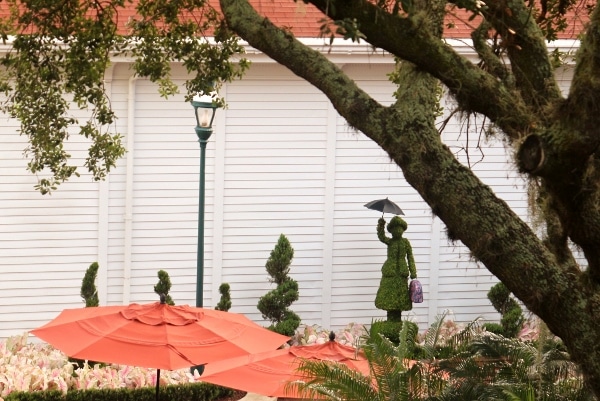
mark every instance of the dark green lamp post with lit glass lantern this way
{"type": "Point", "coordinates": [205, 109]}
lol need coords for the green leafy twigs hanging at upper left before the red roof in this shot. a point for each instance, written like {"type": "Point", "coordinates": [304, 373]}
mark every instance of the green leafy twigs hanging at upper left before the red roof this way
{"type": "Point", "coordinates": [61, 50]}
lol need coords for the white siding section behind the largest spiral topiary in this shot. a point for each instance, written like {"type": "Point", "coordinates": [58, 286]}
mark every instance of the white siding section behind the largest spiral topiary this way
{"type": "Point", "coordinates": [275, 161]}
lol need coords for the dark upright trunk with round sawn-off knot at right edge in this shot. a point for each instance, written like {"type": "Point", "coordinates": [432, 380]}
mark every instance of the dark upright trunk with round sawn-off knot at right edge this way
{"type": "Point", "coordinates": [564, 153]}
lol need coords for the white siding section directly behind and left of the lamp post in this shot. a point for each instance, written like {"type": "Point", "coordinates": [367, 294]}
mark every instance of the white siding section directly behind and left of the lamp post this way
{"type": "Point", "coordinates": [165, 196]}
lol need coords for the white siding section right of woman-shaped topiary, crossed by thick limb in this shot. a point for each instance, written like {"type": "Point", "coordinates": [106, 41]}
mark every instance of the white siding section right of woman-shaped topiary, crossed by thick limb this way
{"type": "Point", "coordinates": [462, 282]}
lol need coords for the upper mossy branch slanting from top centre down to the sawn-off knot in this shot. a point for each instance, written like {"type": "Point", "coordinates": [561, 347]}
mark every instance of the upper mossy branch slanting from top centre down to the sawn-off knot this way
{"type": "Point", "coordinates": [416, 41]}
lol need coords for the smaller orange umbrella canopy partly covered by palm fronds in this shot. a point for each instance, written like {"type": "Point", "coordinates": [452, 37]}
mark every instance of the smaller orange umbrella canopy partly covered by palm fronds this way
{"type": "Point", "coordinates": [268, 373]}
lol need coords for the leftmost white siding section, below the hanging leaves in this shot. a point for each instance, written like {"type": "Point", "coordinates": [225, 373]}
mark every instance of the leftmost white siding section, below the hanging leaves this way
{"type": "Point", "coordinates": [46, 243]}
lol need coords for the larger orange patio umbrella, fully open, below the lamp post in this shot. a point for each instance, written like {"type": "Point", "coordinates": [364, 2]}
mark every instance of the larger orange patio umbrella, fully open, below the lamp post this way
{"type": "Point", "coordinates": [156, 335]}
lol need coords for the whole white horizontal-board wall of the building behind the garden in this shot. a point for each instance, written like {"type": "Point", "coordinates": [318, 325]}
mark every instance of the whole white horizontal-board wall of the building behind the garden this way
{"type": "Point", "coordinates": [280, 161]}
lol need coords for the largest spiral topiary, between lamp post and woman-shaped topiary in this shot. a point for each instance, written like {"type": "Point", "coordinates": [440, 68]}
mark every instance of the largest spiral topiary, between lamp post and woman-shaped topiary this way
{"type": "Point", "coordinates": [274, 305]}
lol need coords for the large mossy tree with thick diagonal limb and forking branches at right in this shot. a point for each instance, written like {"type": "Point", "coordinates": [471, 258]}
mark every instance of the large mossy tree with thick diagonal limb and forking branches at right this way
{"type": "Point", "coordinates": [543, 274]}
